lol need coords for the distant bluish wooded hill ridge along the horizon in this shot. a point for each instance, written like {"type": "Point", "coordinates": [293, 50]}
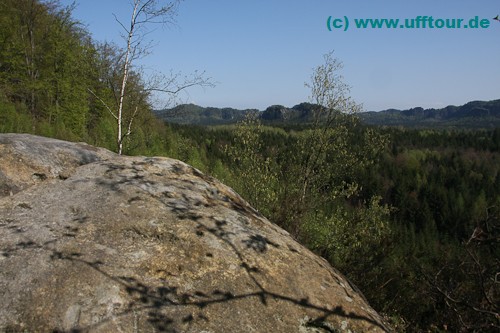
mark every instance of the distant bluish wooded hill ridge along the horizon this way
{"type": "Point", "coordinates": [477, 114]}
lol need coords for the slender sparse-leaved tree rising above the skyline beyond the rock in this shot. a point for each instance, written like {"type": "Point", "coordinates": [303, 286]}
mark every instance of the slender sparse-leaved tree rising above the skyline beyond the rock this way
{"type": "Point", "coordinates": [329, 152]}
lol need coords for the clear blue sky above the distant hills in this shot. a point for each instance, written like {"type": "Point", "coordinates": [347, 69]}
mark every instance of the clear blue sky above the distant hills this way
{"type": "Point", "coordinates": [261, 52]}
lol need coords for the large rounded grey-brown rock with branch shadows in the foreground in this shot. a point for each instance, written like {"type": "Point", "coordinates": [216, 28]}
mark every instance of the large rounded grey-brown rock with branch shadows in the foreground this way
{"type": "Point", "coordinates": [95, 242]}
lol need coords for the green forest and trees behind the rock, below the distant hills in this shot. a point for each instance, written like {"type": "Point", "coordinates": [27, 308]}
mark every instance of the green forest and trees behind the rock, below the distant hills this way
{"type": "Point", "coordinates": [411, 216]}
